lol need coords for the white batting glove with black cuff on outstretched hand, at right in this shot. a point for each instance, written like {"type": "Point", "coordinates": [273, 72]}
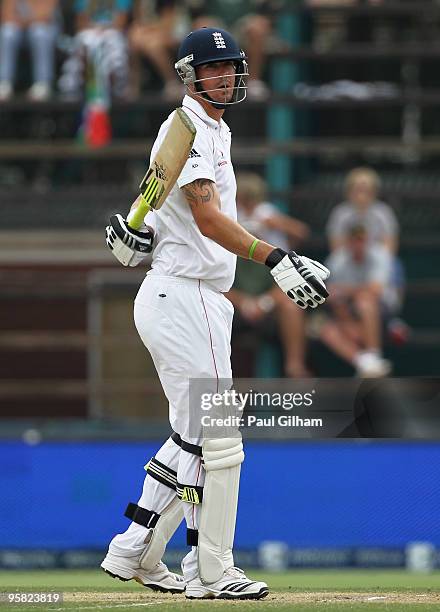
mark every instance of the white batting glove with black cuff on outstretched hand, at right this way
{"type": "Point", "coordinates": [299, 277]}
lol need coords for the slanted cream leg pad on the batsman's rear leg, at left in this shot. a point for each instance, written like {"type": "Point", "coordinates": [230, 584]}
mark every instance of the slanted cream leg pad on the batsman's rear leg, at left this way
{"type": "Point", "coordinates": [161, 534]}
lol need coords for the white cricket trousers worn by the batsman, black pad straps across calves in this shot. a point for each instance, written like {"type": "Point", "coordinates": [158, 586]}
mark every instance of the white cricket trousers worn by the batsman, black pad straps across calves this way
{"type": "Point", "coordinates": [186, 327]}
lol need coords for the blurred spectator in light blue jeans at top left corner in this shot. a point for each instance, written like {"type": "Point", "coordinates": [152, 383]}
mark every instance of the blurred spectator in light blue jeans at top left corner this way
{"type": "Point", "coordinates": [35, 22]}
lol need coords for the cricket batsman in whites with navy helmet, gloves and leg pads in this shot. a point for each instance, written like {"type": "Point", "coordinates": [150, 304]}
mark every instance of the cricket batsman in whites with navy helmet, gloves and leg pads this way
{"type": "Point", "coordinates": [184, 320]}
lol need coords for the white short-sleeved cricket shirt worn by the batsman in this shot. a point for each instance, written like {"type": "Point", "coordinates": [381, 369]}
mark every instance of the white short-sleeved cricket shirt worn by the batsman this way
{"type": "Point", "coordinates": [181, 249]}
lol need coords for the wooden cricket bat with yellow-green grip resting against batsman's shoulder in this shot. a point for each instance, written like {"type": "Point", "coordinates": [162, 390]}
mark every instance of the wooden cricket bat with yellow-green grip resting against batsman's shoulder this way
{"type": "Point", "coordinates": [165, 167]}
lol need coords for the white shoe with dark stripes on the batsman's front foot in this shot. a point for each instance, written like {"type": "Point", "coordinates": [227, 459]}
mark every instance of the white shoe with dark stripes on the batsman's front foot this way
{"type": "Point", "coordinates": [234, 584]}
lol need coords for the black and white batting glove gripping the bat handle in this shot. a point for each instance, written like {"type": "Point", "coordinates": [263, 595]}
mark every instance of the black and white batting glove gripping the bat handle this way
{"type": "Point", "coordinates": [128, 245]}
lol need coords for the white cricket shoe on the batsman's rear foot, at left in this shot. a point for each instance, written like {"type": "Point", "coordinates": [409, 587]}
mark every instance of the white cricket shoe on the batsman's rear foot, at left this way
{"type": "Point", "coordinates": [158, 579]}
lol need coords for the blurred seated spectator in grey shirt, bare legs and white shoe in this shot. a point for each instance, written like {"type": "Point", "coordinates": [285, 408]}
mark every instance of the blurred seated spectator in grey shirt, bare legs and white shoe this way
{"type": "Point", "coordinates": [360, 296]}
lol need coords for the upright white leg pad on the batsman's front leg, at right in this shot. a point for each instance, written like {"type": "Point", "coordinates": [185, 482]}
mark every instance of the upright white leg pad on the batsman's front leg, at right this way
{"type": "Point", "coordinates": [222, 462]}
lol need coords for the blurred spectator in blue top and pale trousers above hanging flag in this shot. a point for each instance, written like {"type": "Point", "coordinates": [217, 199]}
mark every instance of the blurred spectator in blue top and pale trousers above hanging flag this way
{"type": "Point", "coordinates": [100, 44]}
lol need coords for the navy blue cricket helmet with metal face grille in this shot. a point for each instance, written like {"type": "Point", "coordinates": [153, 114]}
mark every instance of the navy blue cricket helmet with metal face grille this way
{"type": "Point", "coordinates": [207, 45]}
